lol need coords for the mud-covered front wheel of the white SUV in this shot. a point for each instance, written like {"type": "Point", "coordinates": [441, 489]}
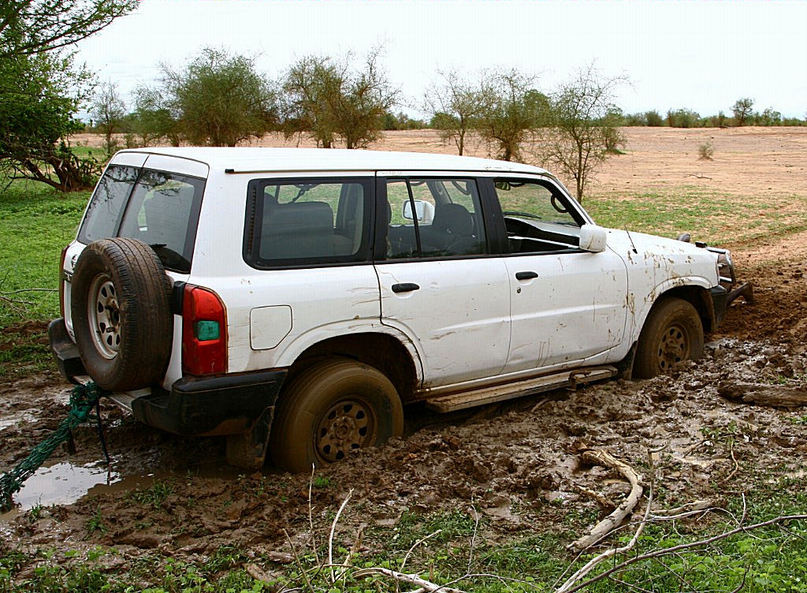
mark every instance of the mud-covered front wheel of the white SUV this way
{"type": "Point", "coordinates": [672, 334]}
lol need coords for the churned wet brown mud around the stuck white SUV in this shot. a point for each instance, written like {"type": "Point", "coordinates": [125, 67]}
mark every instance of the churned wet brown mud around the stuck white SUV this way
{"type": "Point", "coordinates": [518, 463]}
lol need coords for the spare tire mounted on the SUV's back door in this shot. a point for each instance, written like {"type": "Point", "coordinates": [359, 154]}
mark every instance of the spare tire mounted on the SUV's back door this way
{"type": "Point", "coordinates": [121, 311]}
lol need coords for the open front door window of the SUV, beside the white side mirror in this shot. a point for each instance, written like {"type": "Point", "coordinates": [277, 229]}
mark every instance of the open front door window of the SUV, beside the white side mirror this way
{"type": "Point", "coordinates": [538, 216]}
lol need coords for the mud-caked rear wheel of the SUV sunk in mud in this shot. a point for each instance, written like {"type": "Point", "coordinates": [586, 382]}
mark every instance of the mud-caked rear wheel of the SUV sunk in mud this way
{"type": "Point", "coordinates": [332, 408]}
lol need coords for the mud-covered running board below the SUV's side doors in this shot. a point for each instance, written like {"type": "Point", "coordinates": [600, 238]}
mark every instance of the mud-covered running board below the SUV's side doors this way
{"type": "Point", "coordinates": [503, 392]}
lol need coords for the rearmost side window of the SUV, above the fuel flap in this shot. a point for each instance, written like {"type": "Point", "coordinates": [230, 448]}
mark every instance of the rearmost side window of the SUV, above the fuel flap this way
{"type": "Point", "coordinates": [307, 222]}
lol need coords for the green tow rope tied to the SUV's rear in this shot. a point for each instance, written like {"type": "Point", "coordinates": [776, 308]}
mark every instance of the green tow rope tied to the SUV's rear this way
{"type": "Point", "coordinates": [83, 399]}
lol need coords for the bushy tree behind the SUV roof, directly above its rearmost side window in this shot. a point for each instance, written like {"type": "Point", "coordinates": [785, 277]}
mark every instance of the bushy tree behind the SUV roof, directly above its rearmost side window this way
{"type": "Point", "coordinates": [328, 100]}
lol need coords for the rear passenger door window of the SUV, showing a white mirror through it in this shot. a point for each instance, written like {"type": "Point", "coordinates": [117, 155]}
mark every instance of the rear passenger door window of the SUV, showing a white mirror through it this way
{"type": "Point", "coordinates": [432, 217]}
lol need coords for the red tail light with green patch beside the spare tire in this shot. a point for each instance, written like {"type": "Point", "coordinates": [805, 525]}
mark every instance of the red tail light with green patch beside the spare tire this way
{"type": "Point", "coordinates": [204, 332]}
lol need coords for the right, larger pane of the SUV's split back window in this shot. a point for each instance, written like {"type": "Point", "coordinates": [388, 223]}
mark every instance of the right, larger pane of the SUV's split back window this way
{"type": "Point", "coordinates": [162, 212]}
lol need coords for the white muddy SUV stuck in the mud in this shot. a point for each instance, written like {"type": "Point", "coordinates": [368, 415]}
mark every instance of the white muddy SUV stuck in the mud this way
{"type": "Point", "coordinates": [294, 300]}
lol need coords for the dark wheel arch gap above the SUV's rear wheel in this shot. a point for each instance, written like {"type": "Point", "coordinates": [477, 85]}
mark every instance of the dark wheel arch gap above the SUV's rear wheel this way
{"type": "Point", "coordinates": [380, 350]}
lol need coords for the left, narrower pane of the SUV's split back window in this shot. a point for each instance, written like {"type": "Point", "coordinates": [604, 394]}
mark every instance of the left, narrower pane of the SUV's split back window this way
{"type": "Point", "coordinates": [106, 207]}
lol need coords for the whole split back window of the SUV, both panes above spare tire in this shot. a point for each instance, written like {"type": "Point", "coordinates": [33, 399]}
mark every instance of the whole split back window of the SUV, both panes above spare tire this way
{"type": "Point", "coordinates": [156, 207]}
